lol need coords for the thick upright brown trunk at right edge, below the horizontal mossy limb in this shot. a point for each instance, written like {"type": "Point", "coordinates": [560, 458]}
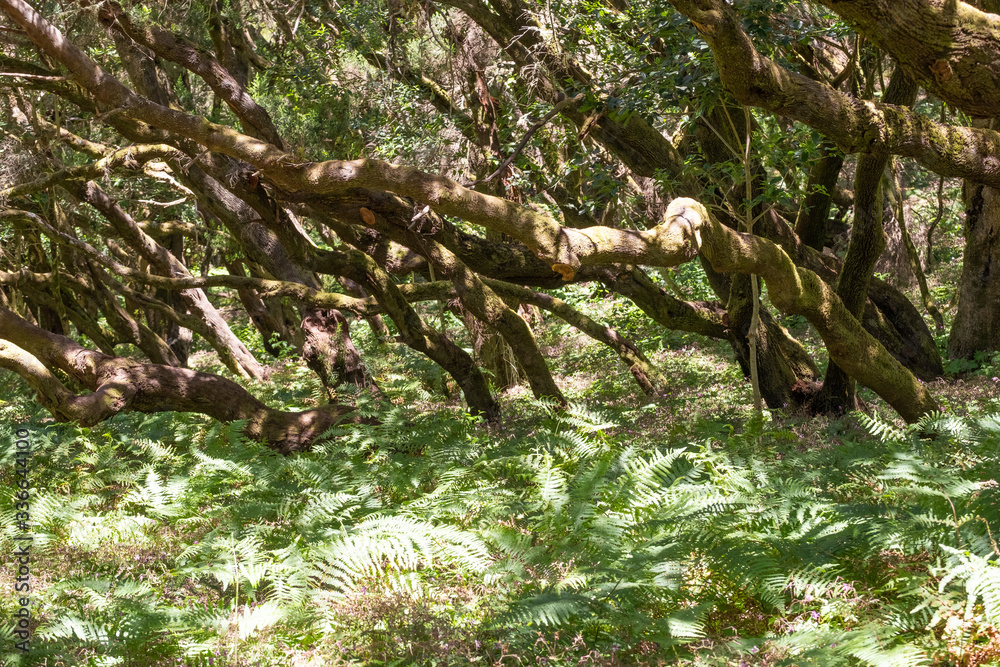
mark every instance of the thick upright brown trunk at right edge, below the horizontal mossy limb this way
{"type": "Point", "coordinates": [976, 327]}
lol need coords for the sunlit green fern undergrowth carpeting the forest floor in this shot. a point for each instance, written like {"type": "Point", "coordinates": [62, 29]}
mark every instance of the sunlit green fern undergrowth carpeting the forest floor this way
{"type": "Point", "coordinates": [431, 539]}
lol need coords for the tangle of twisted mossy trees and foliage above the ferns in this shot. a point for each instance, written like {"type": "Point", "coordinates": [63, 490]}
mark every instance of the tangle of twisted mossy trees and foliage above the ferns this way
{"type": "Point", "coordinates": [327, 162]}
